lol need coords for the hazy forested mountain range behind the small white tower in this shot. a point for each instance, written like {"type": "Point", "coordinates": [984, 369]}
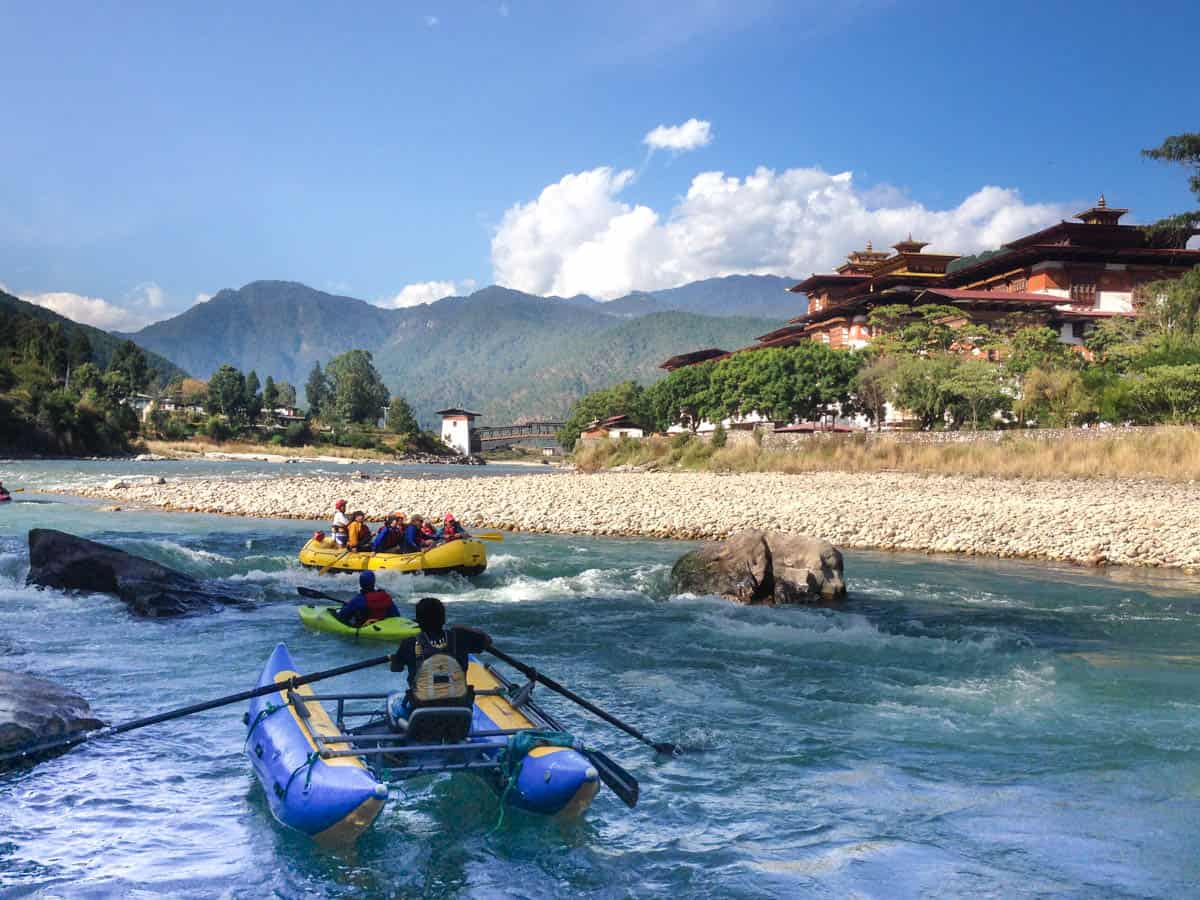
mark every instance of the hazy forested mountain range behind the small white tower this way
{"type": "Point", "coordinates": [502, 351]}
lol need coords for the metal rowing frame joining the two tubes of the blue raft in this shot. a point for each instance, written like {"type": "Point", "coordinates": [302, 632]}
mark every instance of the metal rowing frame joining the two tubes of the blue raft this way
{"type": "Point", "coordinates": [464, 755]}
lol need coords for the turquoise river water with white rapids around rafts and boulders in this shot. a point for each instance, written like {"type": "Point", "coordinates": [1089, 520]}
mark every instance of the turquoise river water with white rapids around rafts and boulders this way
{"type": "Point", "coordinates": [957, 728]}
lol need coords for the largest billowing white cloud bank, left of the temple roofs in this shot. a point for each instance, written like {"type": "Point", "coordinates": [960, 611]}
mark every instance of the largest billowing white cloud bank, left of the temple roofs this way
{"type": "Point", "coordinates": [580, 237]}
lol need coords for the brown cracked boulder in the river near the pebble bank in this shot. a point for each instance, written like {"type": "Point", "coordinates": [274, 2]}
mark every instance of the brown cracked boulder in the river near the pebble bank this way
{"type": "Point", "coordinates": [764, 568]}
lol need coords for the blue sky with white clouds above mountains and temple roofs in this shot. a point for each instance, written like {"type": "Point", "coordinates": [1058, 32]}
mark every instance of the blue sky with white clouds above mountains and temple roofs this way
{"type": "Point", "coordinates": [154, 154]}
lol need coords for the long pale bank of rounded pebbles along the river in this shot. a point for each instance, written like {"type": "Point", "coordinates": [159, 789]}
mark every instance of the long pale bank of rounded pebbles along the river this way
{"type": "Point", "coordinates": [1096, 523]}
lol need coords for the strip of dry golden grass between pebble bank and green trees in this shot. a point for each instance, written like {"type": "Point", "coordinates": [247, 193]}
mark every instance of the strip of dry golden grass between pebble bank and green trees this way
{"type": "Point", "coordinates": [1167, 453]}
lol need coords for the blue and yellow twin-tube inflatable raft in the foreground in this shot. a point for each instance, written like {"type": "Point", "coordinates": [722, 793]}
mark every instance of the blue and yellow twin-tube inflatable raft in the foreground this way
{"type": "Point", "coordinates": [331, 781]}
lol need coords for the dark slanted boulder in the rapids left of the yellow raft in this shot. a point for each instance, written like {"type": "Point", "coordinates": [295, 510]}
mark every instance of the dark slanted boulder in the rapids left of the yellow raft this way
{"type": "Point", "coordinates": [63, 561]}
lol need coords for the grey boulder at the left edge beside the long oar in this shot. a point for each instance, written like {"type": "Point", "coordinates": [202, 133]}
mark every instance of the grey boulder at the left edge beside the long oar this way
{"type": "Point", "coordinates": [35, 710]}
